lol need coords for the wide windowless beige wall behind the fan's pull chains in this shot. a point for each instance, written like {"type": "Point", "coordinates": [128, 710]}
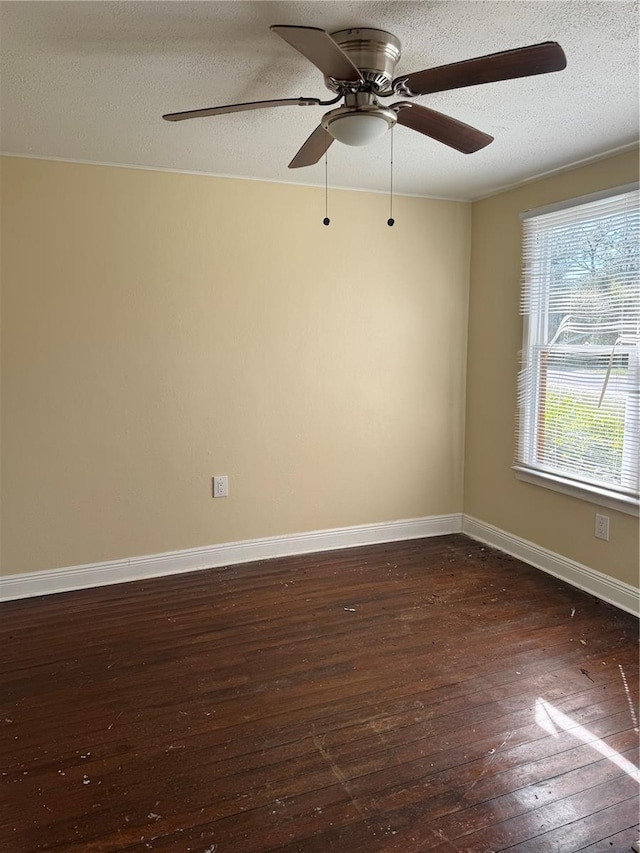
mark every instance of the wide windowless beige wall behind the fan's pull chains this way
{"type": "Point", "coordinates": [162, 328]}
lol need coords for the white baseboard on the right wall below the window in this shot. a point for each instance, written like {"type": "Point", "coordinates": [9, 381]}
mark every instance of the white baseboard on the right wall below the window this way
{"type": "Point", "coordinates": [616, 592]}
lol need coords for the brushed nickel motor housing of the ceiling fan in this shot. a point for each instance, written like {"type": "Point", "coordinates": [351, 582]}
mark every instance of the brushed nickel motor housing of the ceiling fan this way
{"type": "Point", "coordinates": [375, 53]}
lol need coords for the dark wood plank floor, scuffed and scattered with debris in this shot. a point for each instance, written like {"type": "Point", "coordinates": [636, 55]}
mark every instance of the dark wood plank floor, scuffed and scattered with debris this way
{"type": "Point", "coordinates": [427, 695]}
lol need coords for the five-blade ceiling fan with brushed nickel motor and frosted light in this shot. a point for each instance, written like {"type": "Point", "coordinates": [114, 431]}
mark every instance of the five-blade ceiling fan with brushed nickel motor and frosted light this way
{"type": "Point", "coordinates": [358, 65]}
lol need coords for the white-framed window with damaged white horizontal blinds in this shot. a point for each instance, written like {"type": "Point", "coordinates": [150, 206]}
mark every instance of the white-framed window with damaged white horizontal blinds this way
{"type": "Point", "coordinates": [579, 389]}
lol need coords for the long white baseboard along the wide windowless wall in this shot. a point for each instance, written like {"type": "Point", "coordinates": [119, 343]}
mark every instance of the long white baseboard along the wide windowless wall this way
{"type": "Point", "coordinates": [53, 581]}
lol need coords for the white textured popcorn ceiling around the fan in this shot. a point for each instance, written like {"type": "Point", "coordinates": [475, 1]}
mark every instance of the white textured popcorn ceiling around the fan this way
{"type": "Point", "coordinates": [89, 81]}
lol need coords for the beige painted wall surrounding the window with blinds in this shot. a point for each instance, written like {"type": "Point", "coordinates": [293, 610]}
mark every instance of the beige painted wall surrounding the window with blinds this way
{"type": "Point", "coordinates": [492, 494]}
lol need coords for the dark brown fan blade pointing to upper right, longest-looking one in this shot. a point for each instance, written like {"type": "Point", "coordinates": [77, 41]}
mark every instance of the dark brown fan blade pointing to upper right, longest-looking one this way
{"type": "Point", "coordinates": [506, 65]}
